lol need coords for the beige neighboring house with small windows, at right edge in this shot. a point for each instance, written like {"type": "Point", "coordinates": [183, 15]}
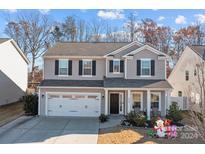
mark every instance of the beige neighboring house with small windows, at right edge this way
{"type": "Point", "coordinates": [184, 78]}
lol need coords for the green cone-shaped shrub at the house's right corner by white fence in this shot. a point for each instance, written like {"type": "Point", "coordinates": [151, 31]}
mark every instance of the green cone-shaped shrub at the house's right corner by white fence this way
{"type": "Point", "coordinates": [174, 113]}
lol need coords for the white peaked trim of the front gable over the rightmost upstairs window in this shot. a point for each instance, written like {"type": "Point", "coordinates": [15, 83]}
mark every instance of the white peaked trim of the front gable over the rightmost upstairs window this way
{"type": "Point", "coordinates": [148, 48]}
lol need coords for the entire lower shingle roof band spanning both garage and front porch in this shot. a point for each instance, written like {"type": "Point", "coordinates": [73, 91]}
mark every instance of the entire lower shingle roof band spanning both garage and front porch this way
{"type": "Point", "coordinates": [108, 83]}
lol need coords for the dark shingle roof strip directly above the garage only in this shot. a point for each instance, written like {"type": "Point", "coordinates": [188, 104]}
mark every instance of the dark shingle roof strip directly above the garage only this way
{"type": "Point", "coordinates": [72, 83]}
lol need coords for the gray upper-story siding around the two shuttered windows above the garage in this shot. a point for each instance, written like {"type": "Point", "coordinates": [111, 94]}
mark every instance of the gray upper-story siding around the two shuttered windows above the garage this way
{"type": "Point", "coordinates": [49, 70]}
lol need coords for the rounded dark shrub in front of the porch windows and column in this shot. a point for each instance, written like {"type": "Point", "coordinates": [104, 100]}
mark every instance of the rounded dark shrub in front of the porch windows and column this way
{"type": "Point", "coordinates": [136, 119]}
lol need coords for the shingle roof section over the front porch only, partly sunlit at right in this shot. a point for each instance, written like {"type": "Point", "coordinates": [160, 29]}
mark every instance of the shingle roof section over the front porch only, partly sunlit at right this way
{"type": "Point", "coordinates": [135, 83]}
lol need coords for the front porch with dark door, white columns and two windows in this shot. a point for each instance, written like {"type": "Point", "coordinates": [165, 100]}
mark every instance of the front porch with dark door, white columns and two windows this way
{"type": "Point", "coordinates": [151, 102]}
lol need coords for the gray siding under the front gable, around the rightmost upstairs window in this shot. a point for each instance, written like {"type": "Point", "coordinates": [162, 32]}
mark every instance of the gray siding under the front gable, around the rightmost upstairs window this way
{"type": "Point", "coordinates": [159, 66]}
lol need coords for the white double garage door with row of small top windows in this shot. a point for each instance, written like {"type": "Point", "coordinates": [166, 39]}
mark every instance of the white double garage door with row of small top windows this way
{"type": "Point", "coordinates": [73, 104]}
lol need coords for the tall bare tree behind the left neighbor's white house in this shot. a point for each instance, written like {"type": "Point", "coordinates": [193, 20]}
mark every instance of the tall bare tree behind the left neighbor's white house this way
{"type": "Point", "coordinates": [32, 34]}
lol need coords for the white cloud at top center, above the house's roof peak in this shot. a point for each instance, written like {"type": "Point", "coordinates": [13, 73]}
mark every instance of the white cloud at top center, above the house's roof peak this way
{"type": "Point", "coordinates": [111, 14]}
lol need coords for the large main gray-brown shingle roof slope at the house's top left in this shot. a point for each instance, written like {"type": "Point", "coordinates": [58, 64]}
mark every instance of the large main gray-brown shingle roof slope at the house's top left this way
{"type": "Point", "coordinates": [83, 49]}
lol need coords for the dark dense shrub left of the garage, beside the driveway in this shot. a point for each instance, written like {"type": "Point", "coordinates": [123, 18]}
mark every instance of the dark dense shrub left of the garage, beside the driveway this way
{"type": "Point", "coordinates": [30, 104]}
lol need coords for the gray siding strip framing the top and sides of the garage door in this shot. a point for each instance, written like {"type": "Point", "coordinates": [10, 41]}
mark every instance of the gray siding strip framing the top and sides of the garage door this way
{"type": "Point", "coordinates": [44, 90]}
